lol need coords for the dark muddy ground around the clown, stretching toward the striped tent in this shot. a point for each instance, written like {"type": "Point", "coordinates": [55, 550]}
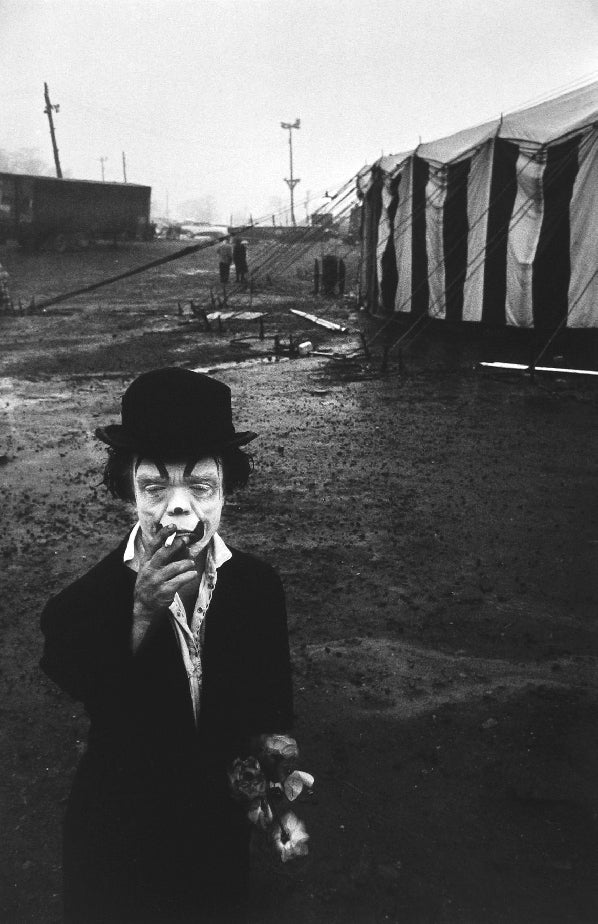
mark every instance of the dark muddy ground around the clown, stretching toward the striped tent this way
{"type": "Point", "coordinates": [436, 528]}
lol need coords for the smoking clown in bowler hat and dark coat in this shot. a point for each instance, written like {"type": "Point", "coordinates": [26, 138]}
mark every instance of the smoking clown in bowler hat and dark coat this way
{"type": "Point", "coordinates": [177, 645]}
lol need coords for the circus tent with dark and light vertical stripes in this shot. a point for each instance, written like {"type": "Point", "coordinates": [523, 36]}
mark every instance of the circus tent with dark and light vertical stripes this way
{"type": "Point", "coordinates": [496, 224]}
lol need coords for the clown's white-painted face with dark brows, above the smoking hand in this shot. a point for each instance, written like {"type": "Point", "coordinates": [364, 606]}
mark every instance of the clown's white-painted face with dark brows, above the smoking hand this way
{"type": "Point", "coordinates": [172, 493]}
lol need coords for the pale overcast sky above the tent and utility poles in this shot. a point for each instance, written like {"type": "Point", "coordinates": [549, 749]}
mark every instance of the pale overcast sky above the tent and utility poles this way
{"type": "Point", "coordinates": [194, 90]}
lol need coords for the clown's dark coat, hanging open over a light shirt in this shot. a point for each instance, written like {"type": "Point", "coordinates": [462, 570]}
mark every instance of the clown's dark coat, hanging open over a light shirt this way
{"type": "Point", "coordinates": [151, 833]}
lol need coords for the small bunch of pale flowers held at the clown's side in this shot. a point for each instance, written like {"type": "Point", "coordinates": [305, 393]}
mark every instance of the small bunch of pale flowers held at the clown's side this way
{"type": "Point", "coordinates": [263, 783]}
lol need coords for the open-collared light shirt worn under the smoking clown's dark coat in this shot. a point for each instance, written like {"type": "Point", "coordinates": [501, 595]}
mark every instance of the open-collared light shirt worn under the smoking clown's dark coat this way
{"type": "Point", "coordinates": [189, 637]}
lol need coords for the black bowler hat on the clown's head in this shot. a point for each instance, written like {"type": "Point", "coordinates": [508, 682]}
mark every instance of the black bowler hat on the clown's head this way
{"type": "Point", "coordinates": [175, 413]}
